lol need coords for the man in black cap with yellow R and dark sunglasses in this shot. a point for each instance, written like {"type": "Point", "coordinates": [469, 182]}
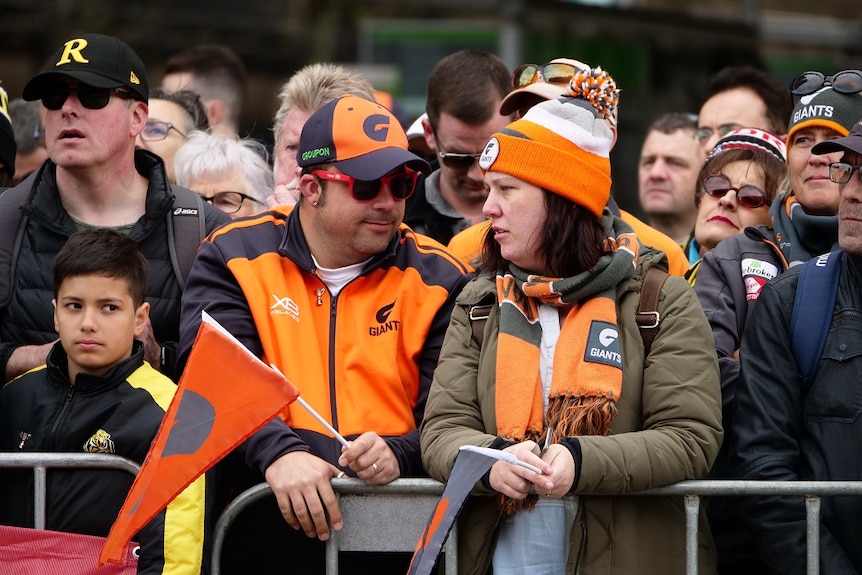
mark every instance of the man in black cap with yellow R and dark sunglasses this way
{"type": "Point", "coordinates": [95, 91]}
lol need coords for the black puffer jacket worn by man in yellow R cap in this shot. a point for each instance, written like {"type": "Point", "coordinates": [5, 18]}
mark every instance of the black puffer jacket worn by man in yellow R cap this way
{"type": "Point", "coordinates": [28, 319]}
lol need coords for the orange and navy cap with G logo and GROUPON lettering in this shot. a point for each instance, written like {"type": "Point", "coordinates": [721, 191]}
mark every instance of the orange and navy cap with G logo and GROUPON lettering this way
{"type": "Point", "coordinates": [362, 138]}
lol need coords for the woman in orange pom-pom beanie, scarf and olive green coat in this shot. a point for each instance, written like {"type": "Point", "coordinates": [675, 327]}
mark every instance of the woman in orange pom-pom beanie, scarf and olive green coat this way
{"type": "Point", "coordinates": [560, 273]}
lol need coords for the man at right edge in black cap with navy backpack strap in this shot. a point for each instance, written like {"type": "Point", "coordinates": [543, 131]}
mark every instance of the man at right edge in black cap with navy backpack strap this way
{"type": "Point", "coordinates": [798, 400]}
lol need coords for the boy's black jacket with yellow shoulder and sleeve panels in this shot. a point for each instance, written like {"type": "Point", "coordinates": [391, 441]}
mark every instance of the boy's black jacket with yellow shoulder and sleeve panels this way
{"type": "Point", "coordinates": [117, 413]}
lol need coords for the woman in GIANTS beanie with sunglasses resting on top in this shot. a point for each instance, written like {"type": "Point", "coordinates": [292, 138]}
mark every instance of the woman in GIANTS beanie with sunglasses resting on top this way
{"type": "Point", "coordinates": [801, 224]}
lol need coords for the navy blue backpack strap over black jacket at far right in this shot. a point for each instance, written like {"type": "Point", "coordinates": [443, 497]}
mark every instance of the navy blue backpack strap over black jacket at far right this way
{"type": "Point", "coordinates": [812, 312]}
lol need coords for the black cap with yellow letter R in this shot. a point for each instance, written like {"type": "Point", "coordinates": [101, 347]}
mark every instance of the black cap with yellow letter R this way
{"type": "Point", "coordinates": [96, 60]}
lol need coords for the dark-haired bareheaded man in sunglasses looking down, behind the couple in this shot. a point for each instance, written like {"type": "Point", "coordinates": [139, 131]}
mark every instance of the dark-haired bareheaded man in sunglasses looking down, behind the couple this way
{"type": "Point", "coordinates": [464, 94]}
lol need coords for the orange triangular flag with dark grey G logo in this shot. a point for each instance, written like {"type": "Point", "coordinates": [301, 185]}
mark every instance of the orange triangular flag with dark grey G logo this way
{"type": "Point", "coordinates": [225, 394]}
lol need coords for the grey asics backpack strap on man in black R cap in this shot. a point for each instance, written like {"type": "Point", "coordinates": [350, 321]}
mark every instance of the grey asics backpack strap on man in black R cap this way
{"type": "Point", "coordinates": [186, 230]}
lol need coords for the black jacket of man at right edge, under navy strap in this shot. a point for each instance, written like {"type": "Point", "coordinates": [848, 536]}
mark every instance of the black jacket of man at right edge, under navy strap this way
{"type": "Point", "coordinates": [783, 434]}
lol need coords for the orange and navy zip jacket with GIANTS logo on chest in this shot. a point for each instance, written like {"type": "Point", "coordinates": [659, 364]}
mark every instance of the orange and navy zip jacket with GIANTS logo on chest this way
{"type": "Point", "coordinates": [363, 360]}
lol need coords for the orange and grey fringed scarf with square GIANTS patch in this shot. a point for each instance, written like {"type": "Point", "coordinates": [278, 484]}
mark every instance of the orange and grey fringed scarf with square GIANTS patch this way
{"type": "Point", "coordinates": [587, 368]}
